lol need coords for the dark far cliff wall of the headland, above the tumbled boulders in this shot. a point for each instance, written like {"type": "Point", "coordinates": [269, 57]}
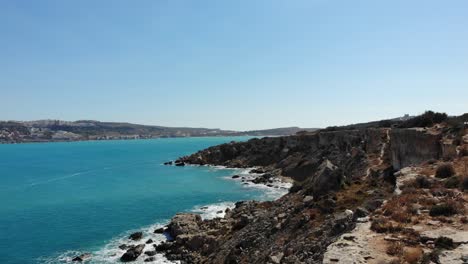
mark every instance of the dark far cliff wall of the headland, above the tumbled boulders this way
{"type": "Point", "coordinates": [297, 156]}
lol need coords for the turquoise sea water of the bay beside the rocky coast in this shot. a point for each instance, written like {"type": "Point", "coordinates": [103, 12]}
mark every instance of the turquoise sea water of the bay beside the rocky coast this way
{"type": "Point", "coordinates": [59, 199]}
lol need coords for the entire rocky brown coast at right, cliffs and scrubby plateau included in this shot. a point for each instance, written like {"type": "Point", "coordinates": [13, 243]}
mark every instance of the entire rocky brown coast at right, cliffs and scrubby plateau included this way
{"type": "Point", "coordinates": [373, 195]}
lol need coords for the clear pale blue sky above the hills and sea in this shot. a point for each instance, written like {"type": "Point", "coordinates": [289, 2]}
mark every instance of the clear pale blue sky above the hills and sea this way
{"type": "Point", "coordinates": [243, 64]}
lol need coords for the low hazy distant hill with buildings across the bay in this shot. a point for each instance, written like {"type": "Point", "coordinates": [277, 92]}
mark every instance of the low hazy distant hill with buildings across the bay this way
{"type": "Point", "coordinates": [58, 130]}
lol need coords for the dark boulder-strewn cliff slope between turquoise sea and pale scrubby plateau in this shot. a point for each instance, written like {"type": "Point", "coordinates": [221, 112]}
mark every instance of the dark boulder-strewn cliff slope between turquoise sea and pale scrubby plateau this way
{"type": "Point", "coordinates": [298, 227]}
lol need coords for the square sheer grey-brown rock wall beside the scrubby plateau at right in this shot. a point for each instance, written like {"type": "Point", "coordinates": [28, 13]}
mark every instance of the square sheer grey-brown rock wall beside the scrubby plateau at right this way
{"type": "Point", "coordinates": [413, 146]}
